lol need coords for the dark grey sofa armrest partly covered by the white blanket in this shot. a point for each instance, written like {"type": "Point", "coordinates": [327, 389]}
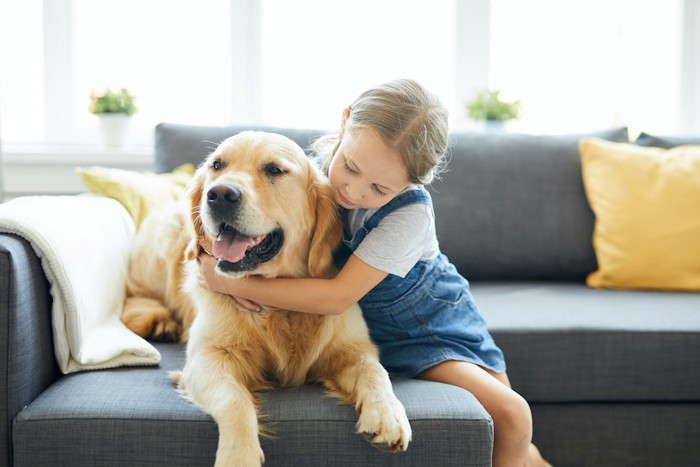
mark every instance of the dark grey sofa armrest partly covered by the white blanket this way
{"type": "Point", "coordinates": [27, 365]}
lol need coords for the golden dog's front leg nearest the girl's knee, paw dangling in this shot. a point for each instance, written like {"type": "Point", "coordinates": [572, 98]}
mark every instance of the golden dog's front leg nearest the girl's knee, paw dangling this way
{"type": "Point", "coordinates": [382, 417]}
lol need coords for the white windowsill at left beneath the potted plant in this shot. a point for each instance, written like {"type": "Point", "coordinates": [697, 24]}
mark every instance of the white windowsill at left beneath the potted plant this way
{"type": "Point", "coordinates": [76, 154]}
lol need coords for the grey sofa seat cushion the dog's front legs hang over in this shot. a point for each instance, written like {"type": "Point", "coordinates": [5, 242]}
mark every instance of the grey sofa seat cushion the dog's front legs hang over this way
{"type": "Point", "coordinates": [134, 416]}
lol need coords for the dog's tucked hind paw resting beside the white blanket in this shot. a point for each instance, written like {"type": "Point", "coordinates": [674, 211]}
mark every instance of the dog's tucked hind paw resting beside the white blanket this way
{"type": "Point", "coordinates": [148, 318]}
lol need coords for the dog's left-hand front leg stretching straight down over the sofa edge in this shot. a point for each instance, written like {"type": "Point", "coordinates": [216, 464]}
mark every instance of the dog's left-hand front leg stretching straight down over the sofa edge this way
{"type": "Point", "coordinates": [216, 391]}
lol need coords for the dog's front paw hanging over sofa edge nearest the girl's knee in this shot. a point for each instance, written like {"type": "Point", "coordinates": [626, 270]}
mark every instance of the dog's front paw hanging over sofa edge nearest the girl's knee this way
{"type": "Point", "coordinates": [385, 425]}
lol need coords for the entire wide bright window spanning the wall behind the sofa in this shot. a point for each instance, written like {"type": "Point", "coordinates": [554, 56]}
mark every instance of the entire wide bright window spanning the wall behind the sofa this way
{"type": "Point", "coordinates": [575, 66]}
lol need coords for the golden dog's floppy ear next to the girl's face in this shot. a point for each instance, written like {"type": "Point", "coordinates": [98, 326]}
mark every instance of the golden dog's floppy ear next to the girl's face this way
{"type": "Point", "coordinates": [327, 231]}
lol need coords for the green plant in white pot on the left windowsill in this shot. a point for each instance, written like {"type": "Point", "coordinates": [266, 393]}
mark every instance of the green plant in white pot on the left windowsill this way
{"type": "Point", "coordinates": [114, 110]}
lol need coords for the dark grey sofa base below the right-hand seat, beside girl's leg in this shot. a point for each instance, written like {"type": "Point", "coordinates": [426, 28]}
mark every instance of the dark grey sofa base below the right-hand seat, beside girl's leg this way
{"type": "Point", "coordinates": [606, 434]}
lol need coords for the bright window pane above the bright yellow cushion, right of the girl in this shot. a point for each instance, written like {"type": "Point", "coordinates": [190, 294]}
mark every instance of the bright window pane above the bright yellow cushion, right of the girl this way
{"type": "Point", "coordinates": [579, 66]}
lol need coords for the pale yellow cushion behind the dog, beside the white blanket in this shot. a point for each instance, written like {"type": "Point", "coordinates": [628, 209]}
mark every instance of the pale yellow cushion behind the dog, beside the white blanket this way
{"type": "Point", "coordinates": [139, 192]}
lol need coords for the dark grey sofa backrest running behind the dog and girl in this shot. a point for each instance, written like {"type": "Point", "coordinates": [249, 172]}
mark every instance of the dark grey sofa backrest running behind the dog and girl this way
{"type": "Point", "coordinates": [509, 207]}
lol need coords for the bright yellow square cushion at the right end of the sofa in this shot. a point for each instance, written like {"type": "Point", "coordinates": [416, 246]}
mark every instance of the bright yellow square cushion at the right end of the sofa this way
{"type": "Point", "coordinates": [647, 207]}
